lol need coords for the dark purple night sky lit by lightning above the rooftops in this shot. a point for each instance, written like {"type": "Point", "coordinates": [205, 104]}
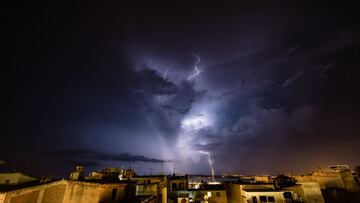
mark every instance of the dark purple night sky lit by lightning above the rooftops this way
{"type": "Point", "coordinates": [263, 88]}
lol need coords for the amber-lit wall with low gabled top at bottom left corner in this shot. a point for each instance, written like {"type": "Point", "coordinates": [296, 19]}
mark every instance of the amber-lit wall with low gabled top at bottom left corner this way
{"type": "Point", "coordinates": [65, 191]}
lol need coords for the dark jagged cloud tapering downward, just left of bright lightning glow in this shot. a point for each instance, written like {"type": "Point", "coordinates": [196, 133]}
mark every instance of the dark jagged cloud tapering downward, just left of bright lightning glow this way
{"type": "Point", "coordinates": [164, 102]}
